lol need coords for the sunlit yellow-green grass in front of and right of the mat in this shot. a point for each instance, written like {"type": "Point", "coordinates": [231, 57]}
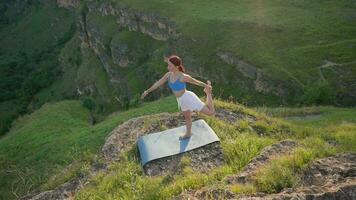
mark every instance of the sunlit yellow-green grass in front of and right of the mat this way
{"type": "Point", "coordinates": [239, 144]}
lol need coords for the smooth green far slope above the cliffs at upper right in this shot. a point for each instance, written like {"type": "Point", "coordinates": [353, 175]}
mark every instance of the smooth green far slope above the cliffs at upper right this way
{"type": "Point", "coordinates": [289, 39]}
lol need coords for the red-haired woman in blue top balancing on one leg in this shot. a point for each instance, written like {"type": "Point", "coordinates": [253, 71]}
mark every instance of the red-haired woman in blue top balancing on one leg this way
{"type": "Point", "coordinates": [187, 100]}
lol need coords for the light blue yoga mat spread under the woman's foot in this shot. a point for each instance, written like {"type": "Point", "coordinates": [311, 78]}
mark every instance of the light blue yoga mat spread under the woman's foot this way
{"type": "Point", "coordinates": [167, 143]}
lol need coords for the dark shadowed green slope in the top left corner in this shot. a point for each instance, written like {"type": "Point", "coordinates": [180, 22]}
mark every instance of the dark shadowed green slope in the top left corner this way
{"type": "Point", "coordinates": [31, 39]}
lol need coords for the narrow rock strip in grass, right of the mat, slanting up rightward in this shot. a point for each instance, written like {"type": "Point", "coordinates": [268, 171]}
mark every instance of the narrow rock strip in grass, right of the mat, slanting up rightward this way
{"type": "Point", "coordinates": [267, 153]}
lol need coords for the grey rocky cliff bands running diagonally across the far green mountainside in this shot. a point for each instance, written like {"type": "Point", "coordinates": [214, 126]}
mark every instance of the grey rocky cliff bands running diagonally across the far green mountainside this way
{"type": "Point", "coordinates": [115, 54]}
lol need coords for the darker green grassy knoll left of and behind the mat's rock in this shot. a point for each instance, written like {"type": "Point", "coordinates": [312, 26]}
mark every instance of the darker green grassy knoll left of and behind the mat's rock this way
{"type": "Point", "coordinates": [44, 143]}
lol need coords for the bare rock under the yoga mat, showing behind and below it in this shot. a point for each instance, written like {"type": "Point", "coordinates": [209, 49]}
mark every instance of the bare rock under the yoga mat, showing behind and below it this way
{"type": "Point", "coordinates": [127, 134]}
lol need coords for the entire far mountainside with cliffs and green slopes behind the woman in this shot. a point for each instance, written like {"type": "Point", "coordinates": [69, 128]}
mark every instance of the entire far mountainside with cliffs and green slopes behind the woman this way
{"type": "Point", "coordinates": [108, 52]}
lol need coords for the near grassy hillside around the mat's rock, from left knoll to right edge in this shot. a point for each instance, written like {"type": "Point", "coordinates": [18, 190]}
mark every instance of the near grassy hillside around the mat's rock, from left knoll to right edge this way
{"type": "Point", "coordinates": [56, 143]}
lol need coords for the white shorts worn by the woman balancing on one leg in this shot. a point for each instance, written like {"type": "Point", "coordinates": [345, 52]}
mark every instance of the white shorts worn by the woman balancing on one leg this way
{"type": "Point", "coordinates": [190, 101]}
